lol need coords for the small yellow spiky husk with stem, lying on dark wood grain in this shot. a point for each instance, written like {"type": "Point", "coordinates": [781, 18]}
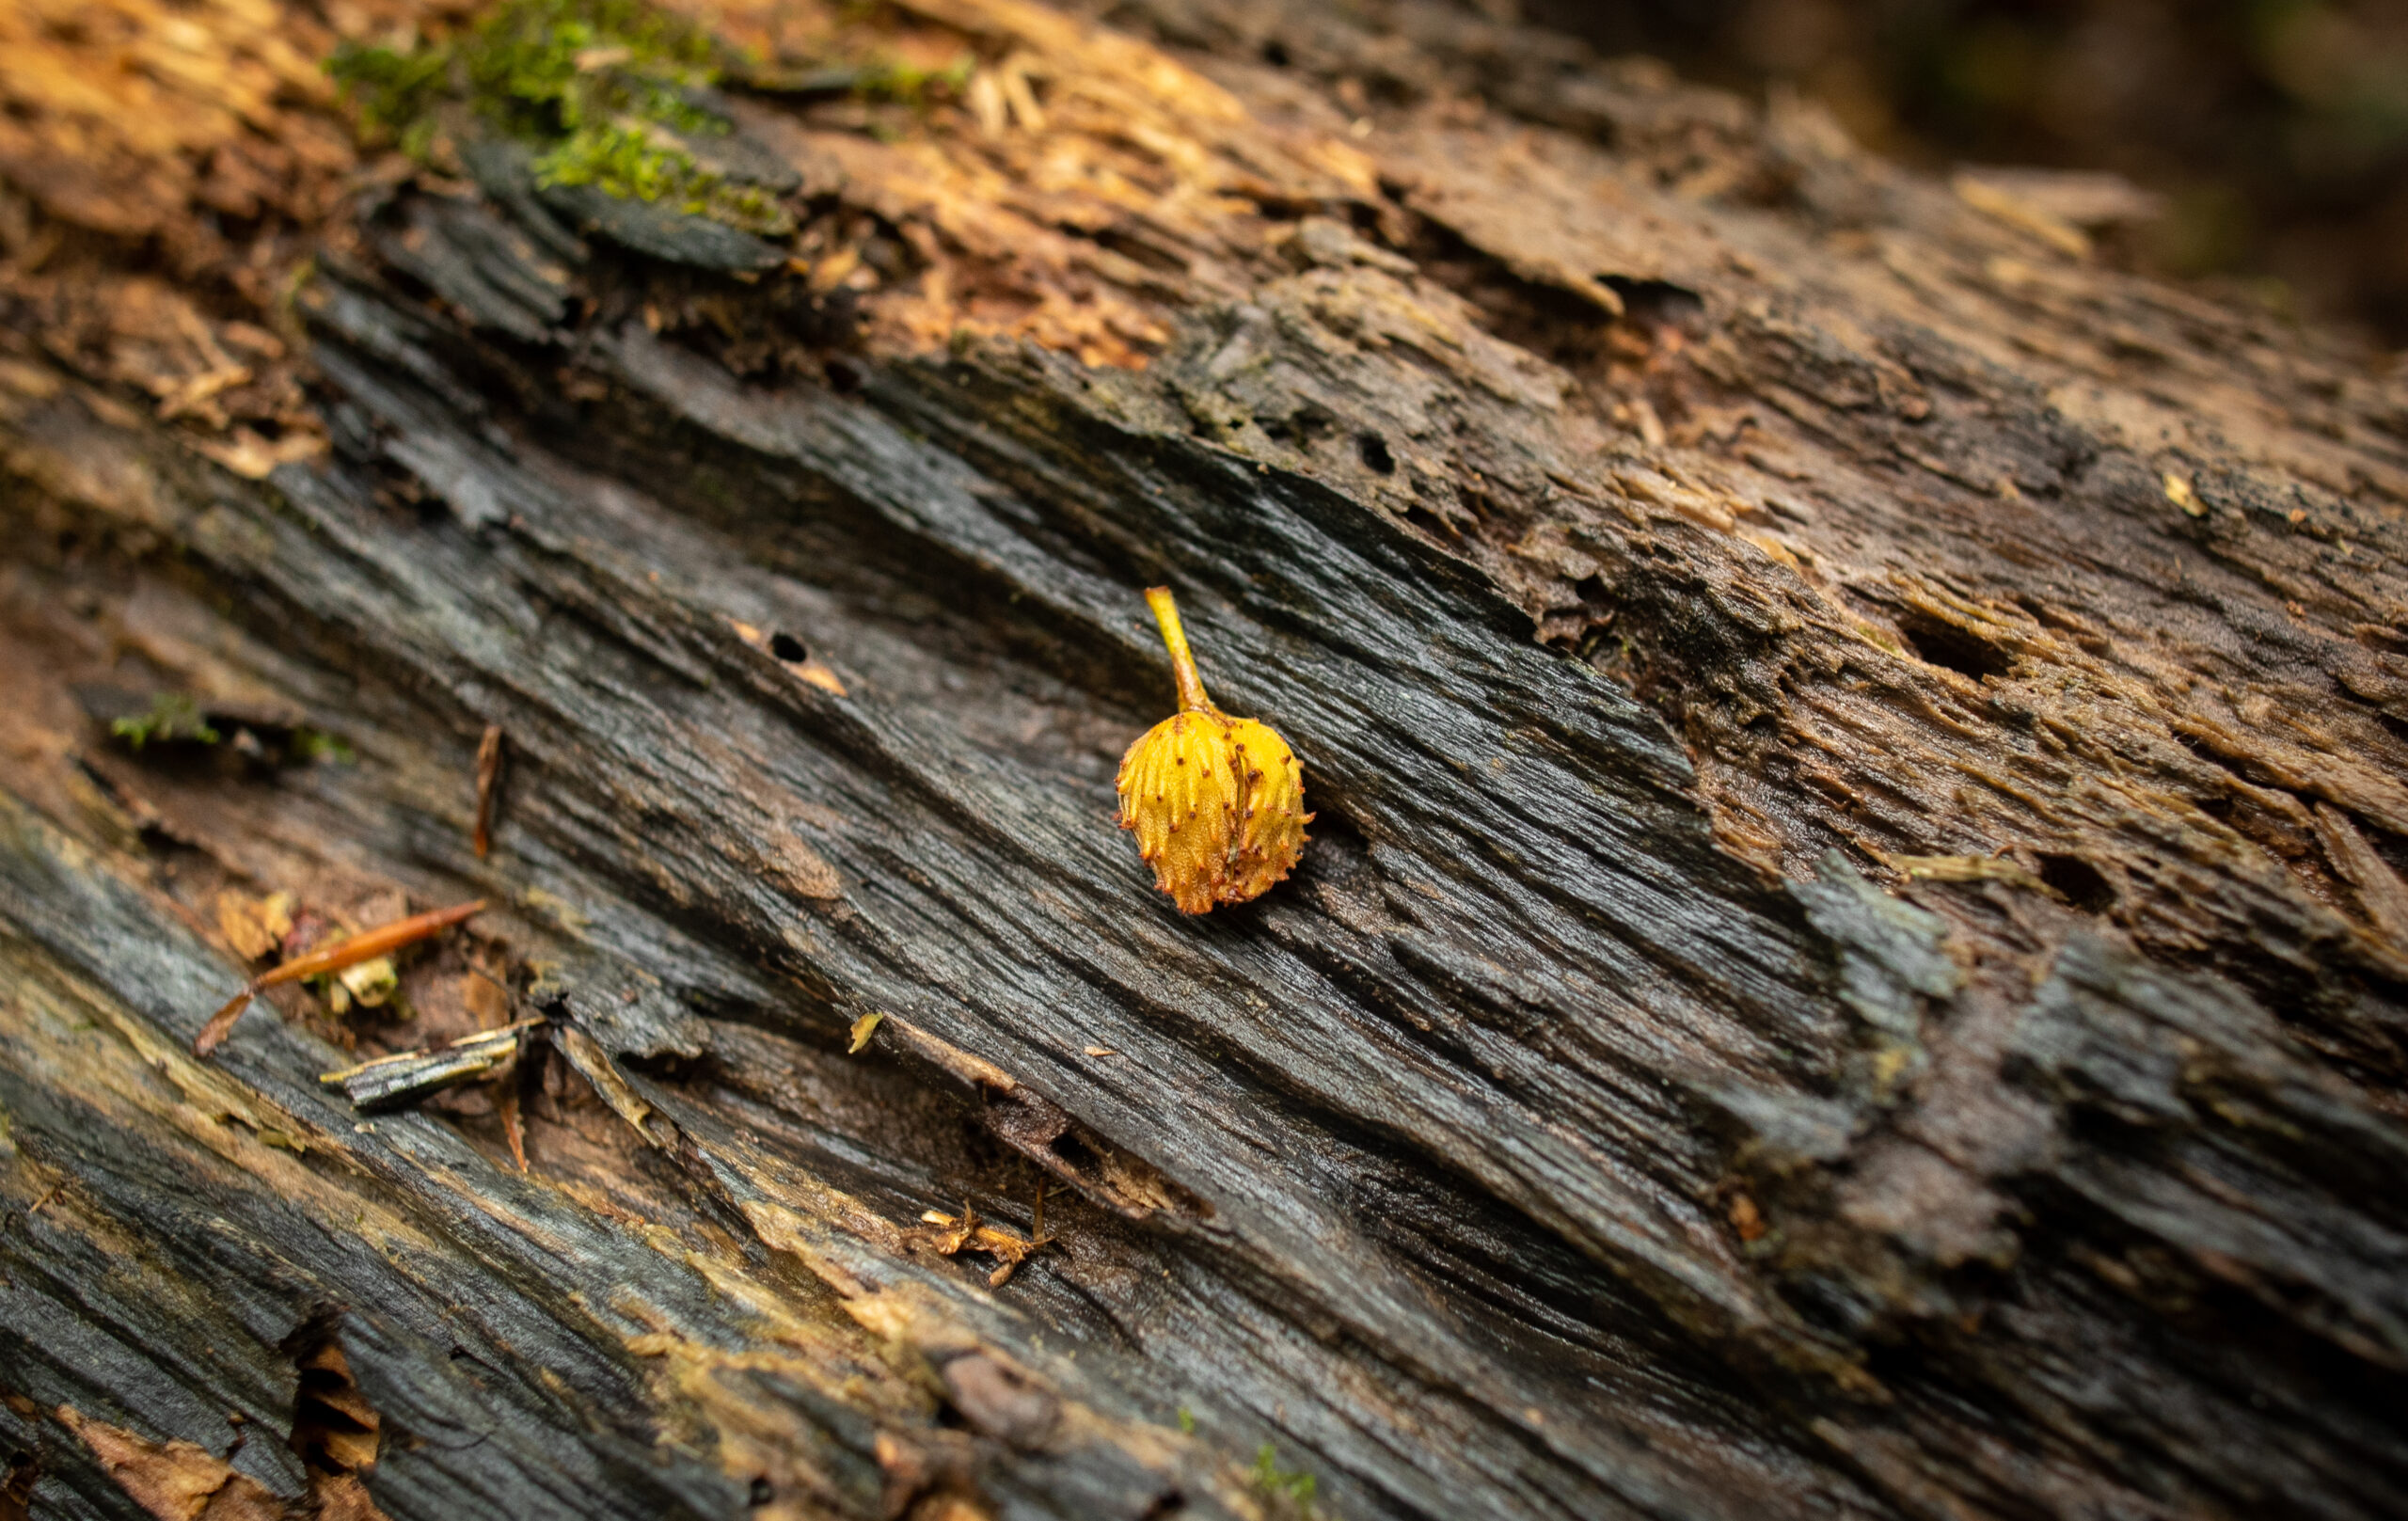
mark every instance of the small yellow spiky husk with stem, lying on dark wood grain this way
{"type": "Point", "coordinates": [1217, 803]}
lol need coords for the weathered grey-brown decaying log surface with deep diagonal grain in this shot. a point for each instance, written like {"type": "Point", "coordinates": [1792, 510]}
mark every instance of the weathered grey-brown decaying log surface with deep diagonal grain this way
{"type": "Point", "coordinates": [1851, 964]}
